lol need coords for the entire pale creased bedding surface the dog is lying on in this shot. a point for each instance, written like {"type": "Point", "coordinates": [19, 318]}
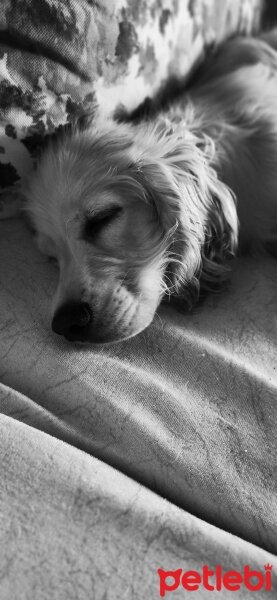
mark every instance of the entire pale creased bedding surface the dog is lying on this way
{"type": "Point", "coordinates": [187, 409]}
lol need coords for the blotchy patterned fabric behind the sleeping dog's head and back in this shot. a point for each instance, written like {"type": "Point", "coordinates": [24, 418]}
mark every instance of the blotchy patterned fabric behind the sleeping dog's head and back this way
{"type": "Point", "coordinates": [62, 59]}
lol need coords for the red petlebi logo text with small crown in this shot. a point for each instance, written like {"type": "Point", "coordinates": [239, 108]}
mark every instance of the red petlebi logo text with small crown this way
{"type": "Point", "coordinates": [216, 579]}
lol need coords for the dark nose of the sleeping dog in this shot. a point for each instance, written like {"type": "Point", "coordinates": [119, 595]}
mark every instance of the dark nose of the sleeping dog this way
{"type": "Point", "coordinates": [72, 321]}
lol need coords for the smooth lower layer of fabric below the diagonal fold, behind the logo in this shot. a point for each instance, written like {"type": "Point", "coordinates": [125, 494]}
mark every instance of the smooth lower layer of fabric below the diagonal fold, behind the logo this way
{"type": "Point", "coordinates": [75, 528]}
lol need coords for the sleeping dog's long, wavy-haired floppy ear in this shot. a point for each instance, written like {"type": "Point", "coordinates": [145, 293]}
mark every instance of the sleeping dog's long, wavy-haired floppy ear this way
{"type": "Point", "coordinates": [197, 212]}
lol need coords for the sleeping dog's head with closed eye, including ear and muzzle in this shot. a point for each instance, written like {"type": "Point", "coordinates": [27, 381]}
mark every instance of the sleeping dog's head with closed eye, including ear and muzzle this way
{"type": "Point", "coordinates": [126, 212]}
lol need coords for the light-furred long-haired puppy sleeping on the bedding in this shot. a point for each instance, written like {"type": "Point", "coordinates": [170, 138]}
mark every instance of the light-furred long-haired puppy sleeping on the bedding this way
{"type": "Point", "coordinates": [135, 213]}
